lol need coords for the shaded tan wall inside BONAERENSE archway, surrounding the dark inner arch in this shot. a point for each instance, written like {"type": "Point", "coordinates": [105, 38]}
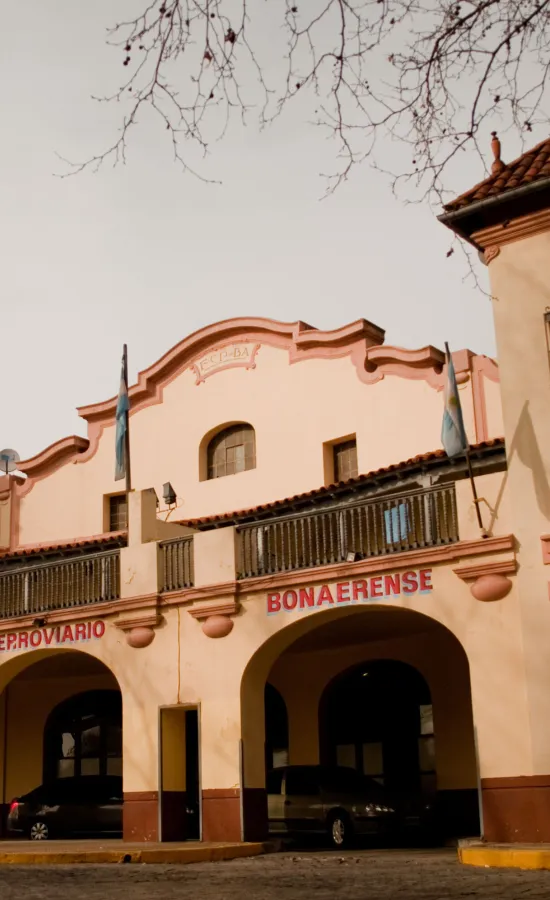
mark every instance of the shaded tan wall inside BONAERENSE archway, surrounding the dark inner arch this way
{"type": "Point", "coordinates": [338, 638]}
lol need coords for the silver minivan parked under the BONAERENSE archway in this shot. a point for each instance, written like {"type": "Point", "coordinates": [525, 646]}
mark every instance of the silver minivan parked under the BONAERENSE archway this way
{"type": "Point", "coordinates": [333, 801]}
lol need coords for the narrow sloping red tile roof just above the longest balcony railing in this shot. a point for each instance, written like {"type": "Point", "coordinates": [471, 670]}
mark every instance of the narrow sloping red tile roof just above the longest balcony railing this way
{"type": "Point", "coordinates": [322, 491]}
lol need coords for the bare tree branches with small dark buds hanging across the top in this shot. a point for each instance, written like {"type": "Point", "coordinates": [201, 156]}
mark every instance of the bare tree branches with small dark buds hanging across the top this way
{"type": "Point", "coordinates": [427, 74]}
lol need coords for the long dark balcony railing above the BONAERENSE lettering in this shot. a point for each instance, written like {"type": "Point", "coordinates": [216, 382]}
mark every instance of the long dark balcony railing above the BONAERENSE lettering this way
{"type": "Point", "coordinates": [361, 530]}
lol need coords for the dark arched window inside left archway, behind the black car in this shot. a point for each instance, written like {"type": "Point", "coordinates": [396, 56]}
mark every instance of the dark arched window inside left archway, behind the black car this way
{"type": "Point", "coordinates": [83, 736]}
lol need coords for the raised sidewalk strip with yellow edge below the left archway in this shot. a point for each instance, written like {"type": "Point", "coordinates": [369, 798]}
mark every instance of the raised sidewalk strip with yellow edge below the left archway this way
{"type": "Point", "coordinates": [43, 853]}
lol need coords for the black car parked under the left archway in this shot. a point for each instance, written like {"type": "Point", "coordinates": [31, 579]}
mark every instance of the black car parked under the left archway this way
{"type": "Point", "coordinates": [68, 807]}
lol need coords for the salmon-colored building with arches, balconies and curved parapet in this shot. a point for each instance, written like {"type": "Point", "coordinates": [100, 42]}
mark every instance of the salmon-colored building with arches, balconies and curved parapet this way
{"type": "Point", "coordinates": [297, 575]}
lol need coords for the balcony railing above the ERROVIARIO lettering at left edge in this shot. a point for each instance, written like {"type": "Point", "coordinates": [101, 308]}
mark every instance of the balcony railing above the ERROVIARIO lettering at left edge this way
{"type": "Point", "coordinates": [80, 581]}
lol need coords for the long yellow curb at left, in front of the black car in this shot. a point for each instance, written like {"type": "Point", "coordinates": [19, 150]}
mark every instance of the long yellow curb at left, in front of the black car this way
{"type": "Point", "coordinates": [179, 855]}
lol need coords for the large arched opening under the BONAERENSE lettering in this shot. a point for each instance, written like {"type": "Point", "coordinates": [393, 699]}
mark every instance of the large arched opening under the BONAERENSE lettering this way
{"type": "Point", "coordinates": [382, 690]}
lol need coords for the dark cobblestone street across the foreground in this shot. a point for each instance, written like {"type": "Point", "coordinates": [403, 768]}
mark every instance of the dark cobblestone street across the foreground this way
{"type": "Point", "coordinates": [376, 875]}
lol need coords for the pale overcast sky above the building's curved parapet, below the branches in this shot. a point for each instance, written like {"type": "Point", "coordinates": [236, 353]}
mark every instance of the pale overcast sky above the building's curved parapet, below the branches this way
{"type": "Point", "coordinates": [143, 254]}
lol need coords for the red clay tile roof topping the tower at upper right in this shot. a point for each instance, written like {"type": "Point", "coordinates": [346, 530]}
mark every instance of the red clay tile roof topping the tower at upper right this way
{"type": "Point", "coordinates": [527, 168]}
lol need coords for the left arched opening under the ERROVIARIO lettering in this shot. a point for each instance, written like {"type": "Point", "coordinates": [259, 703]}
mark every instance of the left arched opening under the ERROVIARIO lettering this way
{"type": "Point", "coordinates": [61, 740]}
